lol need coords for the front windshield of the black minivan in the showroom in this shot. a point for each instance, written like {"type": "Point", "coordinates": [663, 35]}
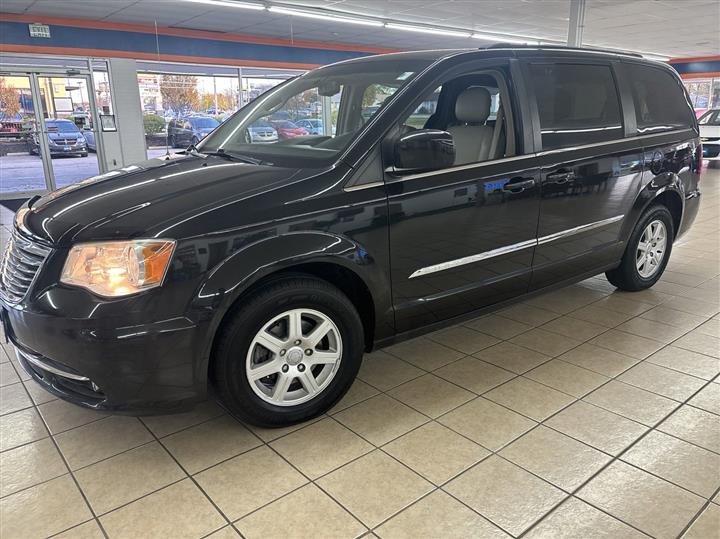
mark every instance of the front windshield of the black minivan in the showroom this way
{"type": "Point", "coordinates": [341, 94]}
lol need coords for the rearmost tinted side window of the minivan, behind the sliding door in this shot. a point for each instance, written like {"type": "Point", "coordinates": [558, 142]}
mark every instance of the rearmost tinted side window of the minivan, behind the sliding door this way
{"type": "Point", "coordinates": [660, 102]}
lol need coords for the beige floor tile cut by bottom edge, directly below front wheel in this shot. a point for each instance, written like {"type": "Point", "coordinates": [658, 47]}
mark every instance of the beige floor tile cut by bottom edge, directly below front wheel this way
{"type": "Point", "coordinates": [328, 518]}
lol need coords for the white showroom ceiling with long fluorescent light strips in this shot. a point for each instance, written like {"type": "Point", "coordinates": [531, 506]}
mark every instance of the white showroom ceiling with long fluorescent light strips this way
{"type": "Point", "coordinates": [664, 27]}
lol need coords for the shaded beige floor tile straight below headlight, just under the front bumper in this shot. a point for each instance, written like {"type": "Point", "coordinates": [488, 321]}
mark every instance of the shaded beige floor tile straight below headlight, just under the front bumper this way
{"type": "Point", "coordinates": [101, 439]}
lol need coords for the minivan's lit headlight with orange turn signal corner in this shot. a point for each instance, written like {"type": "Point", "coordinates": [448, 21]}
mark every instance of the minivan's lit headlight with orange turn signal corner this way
{"type": "Point", "coordinates": [118, 268]}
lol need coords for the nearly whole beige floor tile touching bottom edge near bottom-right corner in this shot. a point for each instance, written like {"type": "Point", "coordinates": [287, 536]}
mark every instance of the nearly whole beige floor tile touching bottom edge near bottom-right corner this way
{"type": "Point", "coordinates": [644, 501]}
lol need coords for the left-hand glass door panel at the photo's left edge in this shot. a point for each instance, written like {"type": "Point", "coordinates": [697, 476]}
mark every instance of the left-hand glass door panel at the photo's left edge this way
{"type": "Point", "coordinates": [24, 166]}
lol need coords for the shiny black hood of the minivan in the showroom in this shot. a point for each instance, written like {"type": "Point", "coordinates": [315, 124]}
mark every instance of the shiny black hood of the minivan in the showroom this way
{"type": "Point", "coordinates": [171, 197]}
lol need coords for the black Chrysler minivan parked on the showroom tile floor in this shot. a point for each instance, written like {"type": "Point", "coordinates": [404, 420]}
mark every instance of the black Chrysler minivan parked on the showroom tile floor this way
{"type": "Point", "coordinates": [267, 270]}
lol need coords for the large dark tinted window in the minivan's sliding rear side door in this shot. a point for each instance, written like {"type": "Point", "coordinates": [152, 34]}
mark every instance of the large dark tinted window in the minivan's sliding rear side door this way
{"type": "Point", "coordinates": [577, 104]}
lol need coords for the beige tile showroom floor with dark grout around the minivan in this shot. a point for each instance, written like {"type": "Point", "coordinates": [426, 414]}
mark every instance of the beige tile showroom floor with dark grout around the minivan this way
{"type": "Point", "coordinates": [582, 413]}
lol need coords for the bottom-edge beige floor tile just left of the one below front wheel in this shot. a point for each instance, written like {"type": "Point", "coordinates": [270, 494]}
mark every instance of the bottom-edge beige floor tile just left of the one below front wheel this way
{"type": "Point", "coordinates": [180, 510]}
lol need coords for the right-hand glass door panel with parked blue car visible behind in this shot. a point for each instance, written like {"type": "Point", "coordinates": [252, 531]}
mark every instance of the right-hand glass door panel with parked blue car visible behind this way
{"type": "Point", "coordinates": [69, 127]}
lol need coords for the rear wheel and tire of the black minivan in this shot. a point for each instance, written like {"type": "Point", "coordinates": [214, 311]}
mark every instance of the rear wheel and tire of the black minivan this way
{"type": "Point", "coordinates": [634, 274]}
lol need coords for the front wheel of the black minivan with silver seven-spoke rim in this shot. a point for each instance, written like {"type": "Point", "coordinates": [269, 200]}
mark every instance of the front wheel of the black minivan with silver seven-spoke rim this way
{"type": "Point", "coordinates": [238, 352]}
